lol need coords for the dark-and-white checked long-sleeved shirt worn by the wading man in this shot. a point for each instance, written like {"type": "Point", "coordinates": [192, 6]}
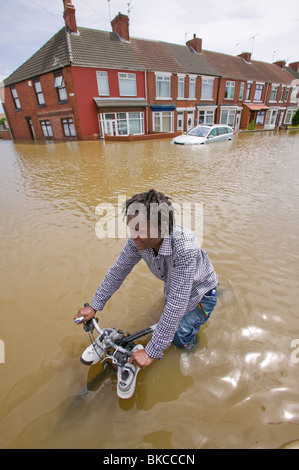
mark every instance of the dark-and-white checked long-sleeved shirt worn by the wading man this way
{"type": "Point", "coordinates": [185, 270]}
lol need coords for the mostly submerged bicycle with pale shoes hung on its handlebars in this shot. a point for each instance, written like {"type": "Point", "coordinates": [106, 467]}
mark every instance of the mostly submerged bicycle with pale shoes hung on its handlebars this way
{"type": "Point", "coordinates": [114, 346]}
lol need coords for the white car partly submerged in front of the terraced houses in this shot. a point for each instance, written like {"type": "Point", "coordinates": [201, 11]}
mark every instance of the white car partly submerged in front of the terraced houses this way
{"type": "Point", "coordinates": [205, 134]}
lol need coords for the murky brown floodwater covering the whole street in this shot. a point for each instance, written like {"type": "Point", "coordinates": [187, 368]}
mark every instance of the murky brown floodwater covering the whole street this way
{"type": "Point", "coordinates": [239, 387]}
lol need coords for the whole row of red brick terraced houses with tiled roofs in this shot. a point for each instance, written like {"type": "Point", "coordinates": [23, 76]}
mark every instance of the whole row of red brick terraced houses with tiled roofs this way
{"type": "Point", "coordinates": [89, 84]}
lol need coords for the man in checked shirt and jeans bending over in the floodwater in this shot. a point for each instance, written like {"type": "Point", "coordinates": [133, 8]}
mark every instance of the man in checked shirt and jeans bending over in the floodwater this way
{"type": "Point", "coordinates": [174, 255]}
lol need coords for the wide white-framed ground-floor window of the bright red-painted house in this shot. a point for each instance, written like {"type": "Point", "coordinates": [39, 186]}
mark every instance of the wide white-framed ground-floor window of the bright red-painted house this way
{"type": "Point", "coordinates": [122, 123]}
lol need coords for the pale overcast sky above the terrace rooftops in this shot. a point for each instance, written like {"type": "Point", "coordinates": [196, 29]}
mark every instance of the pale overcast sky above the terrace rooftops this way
{"type": "Point", "coordinates": [269, 28]}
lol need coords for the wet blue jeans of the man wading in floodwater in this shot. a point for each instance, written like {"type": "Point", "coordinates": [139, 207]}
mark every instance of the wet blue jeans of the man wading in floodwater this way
{"type": "Point", "coordinates": [192, 321]}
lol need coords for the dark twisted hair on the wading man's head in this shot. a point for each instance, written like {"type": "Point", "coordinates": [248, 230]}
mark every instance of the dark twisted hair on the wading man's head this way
{"type": "Point", "coordinates": [154, 200]}
